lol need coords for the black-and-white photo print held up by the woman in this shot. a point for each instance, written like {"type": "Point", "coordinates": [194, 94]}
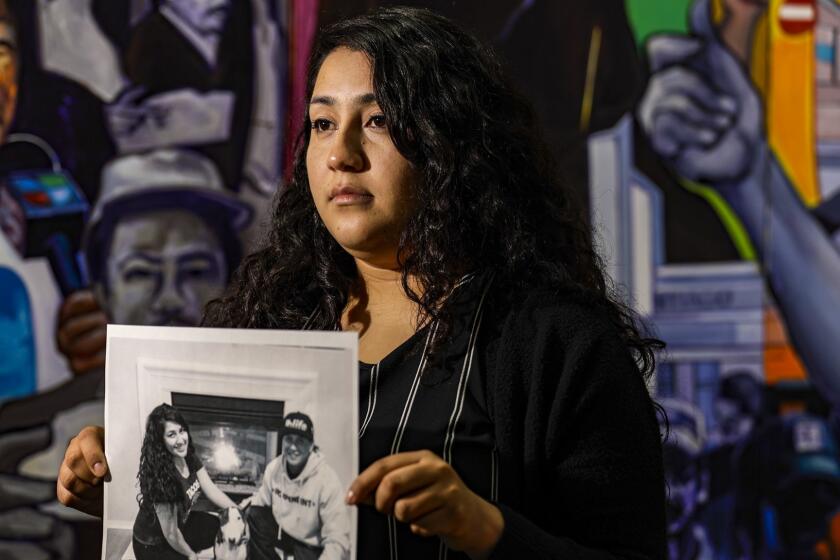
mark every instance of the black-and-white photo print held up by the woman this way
{"type": "Point", "coordinates": [229, 443]}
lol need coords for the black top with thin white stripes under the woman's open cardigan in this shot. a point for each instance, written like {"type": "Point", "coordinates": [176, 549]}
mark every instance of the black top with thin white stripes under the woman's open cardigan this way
{"type": "Point", "coordinates": [411, 403]}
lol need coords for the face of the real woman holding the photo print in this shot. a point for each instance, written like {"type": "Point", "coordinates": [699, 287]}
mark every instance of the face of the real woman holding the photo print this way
{"type": "Point", "coordinates": [362, 186]}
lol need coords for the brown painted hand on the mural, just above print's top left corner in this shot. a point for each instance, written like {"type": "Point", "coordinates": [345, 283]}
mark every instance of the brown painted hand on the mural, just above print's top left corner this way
{"type": "Point", "coordinates": [81, 332]}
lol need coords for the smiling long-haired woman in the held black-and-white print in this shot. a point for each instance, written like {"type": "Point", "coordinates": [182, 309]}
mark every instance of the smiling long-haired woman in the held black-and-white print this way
{"type": "Point", "coordinates": [171, 479]}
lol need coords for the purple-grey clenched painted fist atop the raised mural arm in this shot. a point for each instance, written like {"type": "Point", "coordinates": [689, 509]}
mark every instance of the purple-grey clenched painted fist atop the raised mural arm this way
{"type": "Point", "coordinates": [700, 110]}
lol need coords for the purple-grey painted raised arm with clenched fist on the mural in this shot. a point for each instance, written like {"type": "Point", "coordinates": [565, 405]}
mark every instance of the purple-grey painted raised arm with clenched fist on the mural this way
{"type": "Point", "coordinates": [702, 115]}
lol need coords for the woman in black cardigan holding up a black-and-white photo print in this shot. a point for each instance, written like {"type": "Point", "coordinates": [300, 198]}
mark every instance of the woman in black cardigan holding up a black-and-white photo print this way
{"type": "Point", "coordinates": [502, 408]}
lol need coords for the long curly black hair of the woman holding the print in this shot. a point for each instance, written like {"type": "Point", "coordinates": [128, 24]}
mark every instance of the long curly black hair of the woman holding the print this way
{"type": "Point", "coordinates": [493, 200]}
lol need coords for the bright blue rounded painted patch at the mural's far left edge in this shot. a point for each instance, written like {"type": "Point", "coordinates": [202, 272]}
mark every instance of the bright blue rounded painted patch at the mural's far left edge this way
{"type": "Point", "coordinates": [17, 340]}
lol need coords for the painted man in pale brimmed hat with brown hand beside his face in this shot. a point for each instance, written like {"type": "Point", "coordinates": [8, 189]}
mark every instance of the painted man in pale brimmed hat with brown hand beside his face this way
{"type": "Point", "coordinates": [161, 241]}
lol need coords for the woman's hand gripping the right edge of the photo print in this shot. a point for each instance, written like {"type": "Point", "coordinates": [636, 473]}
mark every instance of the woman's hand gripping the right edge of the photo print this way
{"type": "Point", "coordinates": [423, 490]}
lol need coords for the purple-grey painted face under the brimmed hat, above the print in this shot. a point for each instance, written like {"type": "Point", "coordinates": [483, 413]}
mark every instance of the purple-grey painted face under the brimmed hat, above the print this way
{"type": "Point", "coordinates": [163, 267]}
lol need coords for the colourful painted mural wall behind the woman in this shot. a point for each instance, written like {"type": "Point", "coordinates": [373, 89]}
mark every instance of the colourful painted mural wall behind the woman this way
{"type": "Point", "coordinates": [141, 140]}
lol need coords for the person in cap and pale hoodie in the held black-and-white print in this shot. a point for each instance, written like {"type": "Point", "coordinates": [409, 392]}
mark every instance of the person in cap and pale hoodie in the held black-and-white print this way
{"type": "Point", "coordinates": [299, 510]}
